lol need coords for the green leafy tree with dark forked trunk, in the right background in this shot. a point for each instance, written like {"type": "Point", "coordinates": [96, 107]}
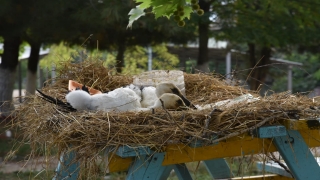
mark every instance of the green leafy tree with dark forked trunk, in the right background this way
{"type": "Point", "coordinates": [264, 25]}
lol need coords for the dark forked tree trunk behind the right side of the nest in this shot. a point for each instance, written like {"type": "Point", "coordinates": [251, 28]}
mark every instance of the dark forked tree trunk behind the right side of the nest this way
{"type": "Point", "coordinates": [259, 72]}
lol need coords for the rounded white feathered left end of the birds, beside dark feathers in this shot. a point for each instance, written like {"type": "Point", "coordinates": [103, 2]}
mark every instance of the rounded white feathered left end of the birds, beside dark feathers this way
{"type": "Point", "coordinates": [79, 99]}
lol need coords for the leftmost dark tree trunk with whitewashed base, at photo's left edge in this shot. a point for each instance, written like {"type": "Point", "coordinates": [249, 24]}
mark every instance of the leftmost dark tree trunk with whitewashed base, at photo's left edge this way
{"type": "Point", "coordinates": [8, 68]}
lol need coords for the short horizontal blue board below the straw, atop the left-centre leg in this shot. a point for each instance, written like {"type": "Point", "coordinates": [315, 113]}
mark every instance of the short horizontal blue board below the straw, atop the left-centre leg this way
{"type": "Point", "coordinates": [126, 151]}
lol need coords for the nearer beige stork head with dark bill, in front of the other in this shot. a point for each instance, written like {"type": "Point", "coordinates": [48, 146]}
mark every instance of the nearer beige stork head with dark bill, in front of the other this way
{"type": "Point", "coordinates": [170, 101]}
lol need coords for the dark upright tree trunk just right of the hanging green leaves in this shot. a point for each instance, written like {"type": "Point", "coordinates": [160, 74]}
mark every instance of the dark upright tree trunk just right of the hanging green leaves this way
{"type": "Point", "coordinates": [203, 31]}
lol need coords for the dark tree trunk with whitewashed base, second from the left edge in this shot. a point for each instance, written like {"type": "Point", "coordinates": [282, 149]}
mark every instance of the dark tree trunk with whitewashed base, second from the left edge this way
{"type": "Point", "coordinates": [32, 68]}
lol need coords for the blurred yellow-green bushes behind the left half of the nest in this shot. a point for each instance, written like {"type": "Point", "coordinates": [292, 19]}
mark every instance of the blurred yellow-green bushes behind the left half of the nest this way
{"type": "Point", "coordinates": [136, 58]}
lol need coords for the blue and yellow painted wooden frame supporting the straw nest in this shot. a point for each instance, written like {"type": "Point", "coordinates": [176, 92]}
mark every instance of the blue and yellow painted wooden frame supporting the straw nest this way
{"type": "Point", "coordinates": [270, 139]}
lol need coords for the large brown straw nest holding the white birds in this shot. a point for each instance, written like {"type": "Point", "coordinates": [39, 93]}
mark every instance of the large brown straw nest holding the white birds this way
{"type": "Point", "coordinates": [89, 133]}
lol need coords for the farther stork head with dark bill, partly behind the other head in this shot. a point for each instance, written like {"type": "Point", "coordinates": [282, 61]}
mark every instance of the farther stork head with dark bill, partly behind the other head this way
{"type": "Point", "coordinates": [171, 88]}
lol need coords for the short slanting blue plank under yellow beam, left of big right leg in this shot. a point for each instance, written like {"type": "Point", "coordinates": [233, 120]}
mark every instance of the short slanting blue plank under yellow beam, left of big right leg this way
{"type": "Point", "coordinates": [218, 168]}
